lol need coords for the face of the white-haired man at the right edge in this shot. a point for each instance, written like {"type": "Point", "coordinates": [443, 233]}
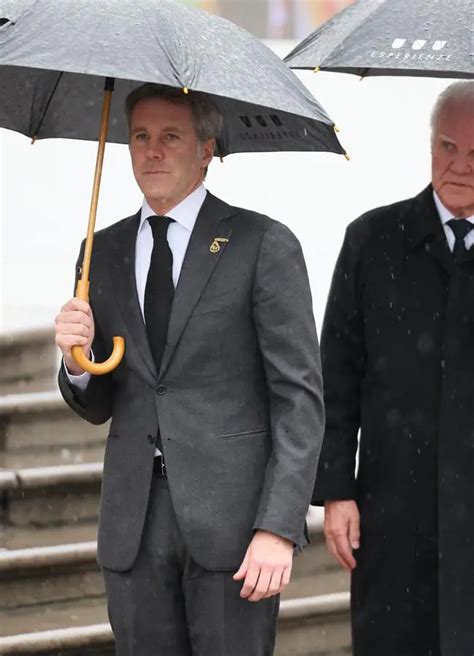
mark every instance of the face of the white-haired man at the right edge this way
{"type": "Point", "coordinates": [453, 158]}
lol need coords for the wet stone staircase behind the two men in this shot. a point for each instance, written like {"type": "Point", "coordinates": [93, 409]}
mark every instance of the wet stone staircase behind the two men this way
{"type": "Point", "coordinates": [51, 589]}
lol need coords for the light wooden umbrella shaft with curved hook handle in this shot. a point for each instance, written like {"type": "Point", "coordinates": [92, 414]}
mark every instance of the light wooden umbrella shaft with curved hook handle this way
{"type": "Point", "coordinates": [82, 290]}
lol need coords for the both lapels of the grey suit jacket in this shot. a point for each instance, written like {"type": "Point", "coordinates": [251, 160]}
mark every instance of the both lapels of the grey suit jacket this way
{"type": "Point", "coordinates": [198, 265]}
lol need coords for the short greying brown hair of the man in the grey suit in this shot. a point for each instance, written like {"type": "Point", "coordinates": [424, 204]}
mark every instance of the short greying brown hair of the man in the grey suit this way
{"type": "Point", "coordinates": [208, 121]}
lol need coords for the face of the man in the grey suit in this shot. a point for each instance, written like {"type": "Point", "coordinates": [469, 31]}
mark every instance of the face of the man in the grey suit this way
{"type": "Point", "coordinates": [168, 160]}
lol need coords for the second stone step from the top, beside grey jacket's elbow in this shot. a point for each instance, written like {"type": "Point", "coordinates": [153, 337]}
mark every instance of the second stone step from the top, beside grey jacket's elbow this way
{"type": "Point", "coordinates": [38, 429]}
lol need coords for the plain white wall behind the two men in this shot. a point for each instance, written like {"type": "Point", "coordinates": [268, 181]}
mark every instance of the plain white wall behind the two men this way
{"type": "Point", "coordinates": [45, 188]}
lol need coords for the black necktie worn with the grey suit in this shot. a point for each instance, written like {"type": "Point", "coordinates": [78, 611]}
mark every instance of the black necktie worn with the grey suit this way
{"type": "Point", "coordinates": [159, 290]}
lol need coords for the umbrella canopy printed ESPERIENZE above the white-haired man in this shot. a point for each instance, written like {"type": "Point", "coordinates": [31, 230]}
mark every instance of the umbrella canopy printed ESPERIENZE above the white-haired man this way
{"type": "Point", "coordinates": [432, 38]}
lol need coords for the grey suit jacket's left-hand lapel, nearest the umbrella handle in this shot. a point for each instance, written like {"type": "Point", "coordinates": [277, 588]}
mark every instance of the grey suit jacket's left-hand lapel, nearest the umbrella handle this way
{"type": "Point", "coordinates": [124, 283]}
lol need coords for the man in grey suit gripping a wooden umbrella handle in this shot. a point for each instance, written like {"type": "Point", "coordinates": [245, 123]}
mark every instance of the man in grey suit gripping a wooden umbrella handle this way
{"type": "Point", "coordinates": [217, 414]}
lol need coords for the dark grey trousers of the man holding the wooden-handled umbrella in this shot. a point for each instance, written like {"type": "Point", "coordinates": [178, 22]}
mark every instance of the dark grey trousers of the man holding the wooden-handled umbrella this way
{"type": "Point", "coordinates": [167, 605]}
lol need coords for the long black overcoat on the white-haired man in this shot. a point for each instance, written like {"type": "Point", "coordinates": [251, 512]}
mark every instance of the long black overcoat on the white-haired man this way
{"type": "Point", "coordinates": [398, 363]}
